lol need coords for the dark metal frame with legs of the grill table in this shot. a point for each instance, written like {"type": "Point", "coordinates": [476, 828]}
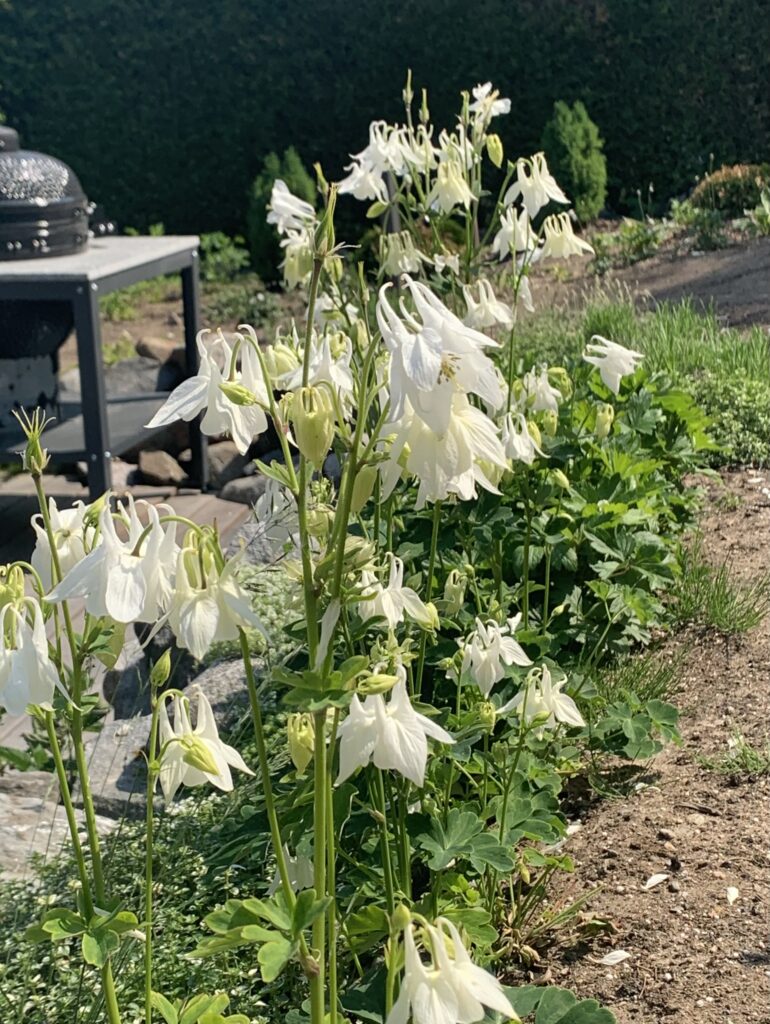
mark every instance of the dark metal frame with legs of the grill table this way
{"type": "Point", "coordinates": [82, 290]}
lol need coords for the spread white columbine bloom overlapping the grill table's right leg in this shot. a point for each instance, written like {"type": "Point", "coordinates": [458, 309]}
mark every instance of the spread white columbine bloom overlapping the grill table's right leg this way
{"type": "Point", "coordinates": [204, 392]}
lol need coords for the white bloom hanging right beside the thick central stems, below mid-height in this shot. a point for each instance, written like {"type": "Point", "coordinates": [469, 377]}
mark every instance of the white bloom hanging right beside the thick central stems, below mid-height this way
{"type": "Point", "coordinates": [392, 735]}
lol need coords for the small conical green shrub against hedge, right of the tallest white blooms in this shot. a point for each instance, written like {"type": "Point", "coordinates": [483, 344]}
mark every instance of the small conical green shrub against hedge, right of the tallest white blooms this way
{"type": "Point", "coordinates": [576, 155]}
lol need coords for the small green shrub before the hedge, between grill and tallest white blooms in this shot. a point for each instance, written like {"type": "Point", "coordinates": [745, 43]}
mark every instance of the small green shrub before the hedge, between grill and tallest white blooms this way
{"type": "Point", "coordinates": [264, 243]}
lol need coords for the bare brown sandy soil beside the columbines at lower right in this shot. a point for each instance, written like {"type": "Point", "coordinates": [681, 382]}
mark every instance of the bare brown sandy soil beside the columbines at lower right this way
{"type": "Point", "coordinates": [695, 957]}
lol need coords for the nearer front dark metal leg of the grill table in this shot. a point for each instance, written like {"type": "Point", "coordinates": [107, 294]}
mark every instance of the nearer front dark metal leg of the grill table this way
{"type": "Point", "coordinates": [94, 399]}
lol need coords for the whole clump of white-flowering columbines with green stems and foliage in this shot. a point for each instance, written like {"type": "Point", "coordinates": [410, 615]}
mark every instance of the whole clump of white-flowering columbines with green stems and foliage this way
{"type": "Point", "coordinates": [501, 530]}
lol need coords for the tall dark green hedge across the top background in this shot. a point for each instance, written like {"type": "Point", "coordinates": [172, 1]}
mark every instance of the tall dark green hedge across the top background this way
{"type": "Point", "coordinates": [167, 108]}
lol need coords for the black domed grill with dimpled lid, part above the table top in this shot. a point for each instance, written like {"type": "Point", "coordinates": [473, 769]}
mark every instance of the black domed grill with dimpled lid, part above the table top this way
{"type": "Point", "coordinates": [44, 208]}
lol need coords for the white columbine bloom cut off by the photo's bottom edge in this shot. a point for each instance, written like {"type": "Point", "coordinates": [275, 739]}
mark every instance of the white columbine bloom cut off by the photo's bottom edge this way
{"type": "Point", "coordinates": [453, 990]}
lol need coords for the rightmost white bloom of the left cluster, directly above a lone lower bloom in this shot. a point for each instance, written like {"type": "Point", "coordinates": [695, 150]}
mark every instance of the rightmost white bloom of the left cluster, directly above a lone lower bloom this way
{"type": "Point", "coordinates": [207, 606]}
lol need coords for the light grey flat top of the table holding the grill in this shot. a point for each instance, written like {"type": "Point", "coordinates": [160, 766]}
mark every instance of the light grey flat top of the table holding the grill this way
{"type": "Point", "coordinates": [103, 259]}
